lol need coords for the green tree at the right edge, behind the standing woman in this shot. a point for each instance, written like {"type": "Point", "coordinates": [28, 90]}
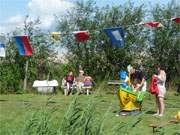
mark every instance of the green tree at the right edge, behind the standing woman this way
{"type": "Point", "coordinates": [164, 42]}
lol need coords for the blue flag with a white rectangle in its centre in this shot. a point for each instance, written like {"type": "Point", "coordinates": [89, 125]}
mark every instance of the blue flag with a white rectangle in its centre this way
{"type": "Point", "coordinates": [116, 36]}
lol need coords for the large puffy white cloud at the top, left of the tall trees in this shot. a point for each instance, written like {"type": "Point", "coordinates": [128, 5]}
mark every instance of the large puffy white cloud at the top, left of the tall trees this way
{"type": "Point", "coordinates": [46, 9]}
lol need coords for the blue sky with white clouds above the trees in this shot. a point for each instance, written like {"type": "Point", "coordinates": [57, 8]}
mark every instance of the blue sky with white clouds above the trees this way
{"type": "Point", "coordinates": [12, 12]}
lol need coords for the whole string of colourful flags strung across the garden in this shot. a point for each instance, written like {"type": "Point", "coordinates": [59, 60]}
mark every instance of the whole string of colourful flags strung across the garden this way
{"type": "Point", "coordinates": [116, 36]}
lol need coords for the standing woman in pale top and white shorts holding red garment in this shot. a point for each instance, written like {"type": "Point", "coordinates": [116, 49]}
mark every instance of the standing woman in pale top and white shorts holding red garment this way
{"type": "Point", "coordinates": [161, 79]}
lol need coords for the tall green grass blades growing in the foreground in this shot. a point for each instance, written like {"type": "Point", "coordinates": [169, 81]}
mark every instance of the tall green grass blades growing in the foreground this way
{"type": "Point", "coordinates": [79, 119]}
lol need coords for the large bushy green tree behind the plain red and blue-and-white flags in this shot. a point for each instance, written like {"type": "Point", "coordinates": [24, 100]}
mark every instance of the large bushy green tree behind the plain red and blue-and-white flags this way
{"type": "Point", "coordinates": [97, 56]}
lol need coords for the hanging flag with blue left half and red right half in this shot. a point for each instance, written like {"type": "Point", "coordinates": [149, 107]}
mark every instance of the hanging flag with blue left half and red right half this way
{"type": "Point", "coordinates": [23, 45]}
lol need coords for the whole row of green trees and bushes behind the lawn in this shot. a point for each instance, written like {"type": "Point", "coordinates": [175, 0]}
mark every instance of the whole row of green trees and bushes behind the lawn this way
{"type": "Point", "coordinates": [143, 47]}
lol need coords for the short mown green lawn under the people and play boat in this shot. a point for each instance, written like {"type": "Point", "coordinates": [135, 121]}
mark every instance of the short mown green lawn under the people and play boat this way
{"type": "Point", "coordinates": [17, 110]}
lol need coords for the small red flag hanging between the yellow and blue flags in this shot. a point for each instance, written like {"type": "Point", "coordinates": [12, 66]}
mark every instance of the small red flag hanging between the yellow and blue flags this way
{"type": "Point", "coordinates": [81, 36]}
